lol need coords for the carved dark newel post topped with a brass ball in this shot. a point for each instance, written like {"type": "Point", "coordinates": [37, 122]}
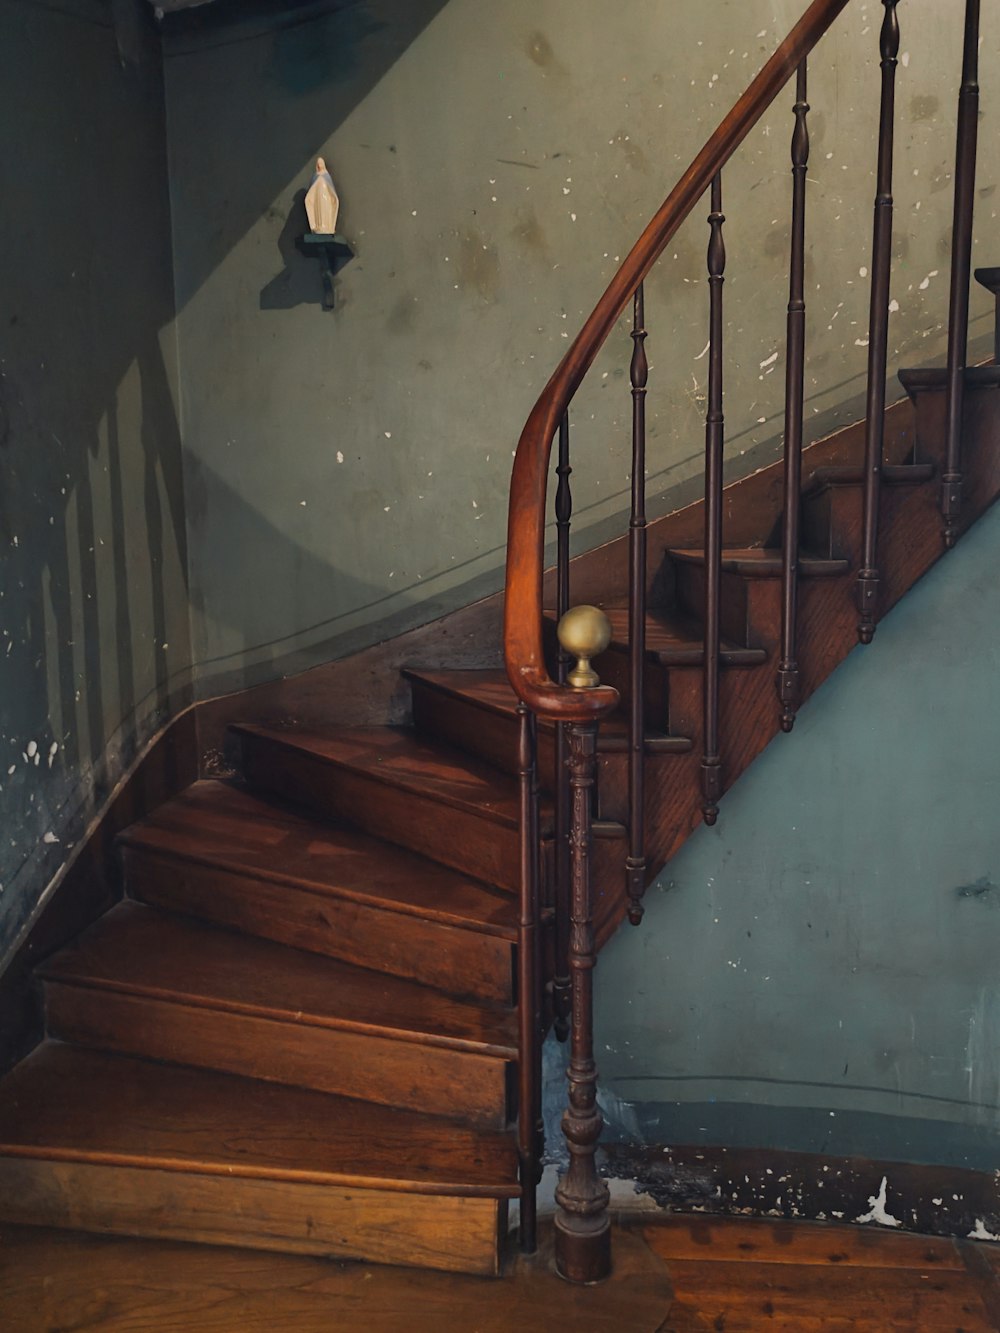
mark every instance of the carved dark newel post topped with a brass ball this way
{"type": "Point", "coordinates": [583, 1232]}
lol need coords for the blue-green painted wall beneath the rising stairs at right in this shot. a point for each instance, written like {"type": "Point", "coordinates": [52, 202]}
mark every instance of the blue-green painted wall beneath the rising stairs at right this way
{"type": "Point", "coordinates": [822, 971]}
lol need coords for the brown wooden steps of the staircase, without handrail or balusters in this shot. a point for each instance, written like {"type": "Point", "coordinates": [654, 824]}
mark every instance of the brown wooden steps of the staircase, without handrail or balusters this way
{"type": "Point", "coordinates": [298, 1032]}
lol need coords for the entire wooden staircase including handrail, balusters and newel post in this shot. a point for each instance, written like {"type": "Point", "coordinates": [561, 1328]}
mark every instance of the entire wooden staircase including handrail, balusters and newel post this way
{"type": "Point", "coordinates": [303, 1028]}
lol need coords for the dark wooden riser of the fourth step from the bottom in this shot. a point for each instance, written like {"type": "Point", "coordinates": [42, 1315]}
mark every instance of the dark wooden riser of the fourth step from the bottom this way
{"type": "Point", "coordinates": [479, 847]}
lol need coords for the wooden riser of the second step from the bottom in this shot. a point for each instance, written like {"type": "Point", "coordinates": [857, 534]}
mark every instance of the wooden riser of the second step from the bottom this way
{"type": "Point", "coordinates": [369, 1067]}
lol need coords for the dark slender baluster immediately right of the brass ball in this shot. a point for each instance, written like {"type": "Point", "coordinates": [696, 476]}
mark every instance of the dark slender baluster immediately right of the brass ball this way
{"type": "Point", "coordinates": [635, 863]}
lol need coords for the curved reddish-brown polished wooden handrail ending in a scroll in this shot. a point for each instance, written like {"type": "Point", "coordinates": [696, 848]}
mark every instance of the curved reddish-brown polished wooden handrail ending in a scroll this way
{"type": "Point", "coordinates": [526, 531]}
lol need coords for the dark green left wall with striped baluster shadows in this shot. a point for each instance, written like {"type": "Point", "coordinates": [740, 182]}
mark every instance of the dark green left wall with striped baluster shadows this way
{"type": "Point", "coordinates": [94, 618]}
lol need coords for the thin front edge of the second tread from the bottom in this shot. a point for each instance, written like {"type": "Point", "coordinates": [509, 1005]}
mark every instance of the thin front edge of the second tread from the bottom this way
{"type": "Point", "coordinates": [218, 1004]}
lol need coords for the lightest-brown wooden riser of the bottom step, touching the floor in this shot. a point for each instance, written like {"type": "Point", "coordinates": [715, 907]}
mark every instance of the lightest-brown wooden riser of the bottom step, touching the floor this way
{"type": "Point", "coordinates": [451, 1235]}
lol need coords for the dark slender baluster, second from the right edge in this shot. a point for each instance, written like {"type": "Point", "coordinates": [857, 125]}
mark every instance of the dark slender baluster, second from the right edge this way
{"type": "Point", "coordinates": [878, 333]}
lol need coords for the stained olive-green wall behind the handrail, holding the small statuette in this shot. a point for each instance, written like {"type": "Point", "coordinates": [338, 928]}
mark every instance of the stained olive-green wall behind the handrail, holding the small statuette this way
{"type": "Point", "coordinates": [347, 473]}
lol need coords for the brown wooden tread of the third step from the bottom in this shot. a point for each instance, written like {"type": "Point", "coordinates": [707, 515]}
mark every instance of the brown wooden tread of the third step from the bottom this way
{"type": "Point", "coordinates": [223, 826]}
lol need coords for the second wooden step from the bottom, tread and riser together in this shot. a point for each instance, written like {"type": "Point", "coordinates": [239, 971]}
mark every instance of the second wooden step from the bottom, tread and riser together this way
{"type": "Point", "coordinates": [147, 983]}
